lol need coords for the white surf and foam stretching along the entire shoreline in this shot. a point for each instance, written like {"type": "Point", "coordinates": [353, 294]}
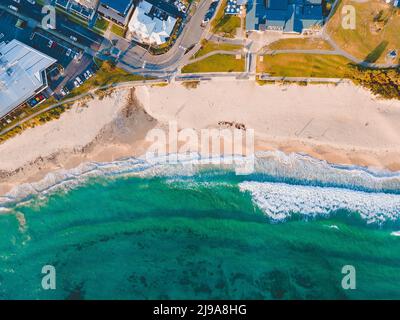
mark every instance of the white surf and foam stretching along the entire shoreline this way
{"type": "Point", "coordinates": [280, 184]}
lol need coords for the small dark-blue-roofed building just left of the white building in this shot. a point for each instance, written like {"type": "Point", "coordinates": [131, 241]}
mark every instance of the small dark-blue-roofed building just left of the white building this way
{"type": "Point", "coordinates": [116, 11]}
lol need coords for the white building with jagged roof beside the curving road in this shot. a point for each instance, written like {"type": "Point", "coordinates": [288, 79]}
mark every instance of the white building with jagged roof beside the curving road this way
{"type": "Point", "coordinates": [150, 24]}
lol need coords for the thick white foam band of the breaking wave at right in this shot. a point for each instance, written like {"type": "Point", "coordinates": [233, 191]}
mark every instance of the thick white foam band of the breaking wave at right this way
{"type": "Point", "coordinates": [279, 201]}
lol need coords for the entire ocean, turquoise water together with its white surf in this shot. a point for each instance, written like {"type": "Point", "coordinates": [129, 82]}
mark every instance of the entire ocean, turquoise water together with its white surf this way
{"type": "Point", "coordinates": [134, 230]}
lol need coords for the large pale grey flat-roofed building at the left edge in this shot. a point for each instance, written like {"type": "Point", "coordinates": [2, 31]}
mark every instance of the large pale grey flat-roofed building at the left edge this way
{"type": "Point", "coordinates": [22, 74]}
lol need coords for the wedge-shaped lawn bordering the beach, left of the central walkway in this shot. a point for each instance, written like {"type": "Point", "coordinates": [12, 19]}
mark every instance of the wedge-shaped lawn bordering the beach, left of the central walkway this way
{"type": "Point", "coordinates": [216, 63]}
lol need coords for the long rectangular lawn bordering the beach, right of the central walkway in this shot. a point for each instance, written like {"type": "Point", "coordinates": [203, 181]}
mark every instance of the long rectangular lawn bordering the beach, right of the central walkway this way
{"type": "Point", "coordinates": [305, 65]}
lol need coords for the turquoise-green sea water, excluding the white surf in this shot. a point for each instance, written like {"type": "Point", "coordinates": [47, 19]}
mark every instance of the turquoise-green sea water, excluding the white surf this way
{"type": "Point", "coordinates": [193, 237]}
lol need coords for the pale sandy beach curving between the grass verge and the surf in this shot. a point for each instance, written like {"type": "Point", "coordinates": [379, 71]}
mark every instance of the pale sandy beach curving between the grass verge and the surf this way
{"type": "Point", "coordinates": [341, 124]}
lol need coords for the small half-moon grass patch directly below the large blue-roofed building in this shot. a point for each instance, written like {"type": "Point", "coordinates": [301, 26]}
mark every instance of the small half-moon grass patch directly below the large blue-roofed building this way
{"type": "Point", "coordinates": [300, 43]}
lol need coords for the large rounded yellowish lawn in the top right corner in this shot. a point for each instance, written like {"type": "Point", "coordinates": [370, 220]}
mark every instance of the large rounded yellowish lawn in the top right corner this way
{"type": "Point", "coordinates": [376, 32]}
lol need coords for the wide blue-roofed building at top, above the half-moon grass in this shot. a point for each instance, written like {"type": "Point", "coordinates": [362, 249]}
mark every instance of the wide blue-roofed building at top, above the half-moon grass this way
{"type": "Point", "coordinates": [288, 16]}
